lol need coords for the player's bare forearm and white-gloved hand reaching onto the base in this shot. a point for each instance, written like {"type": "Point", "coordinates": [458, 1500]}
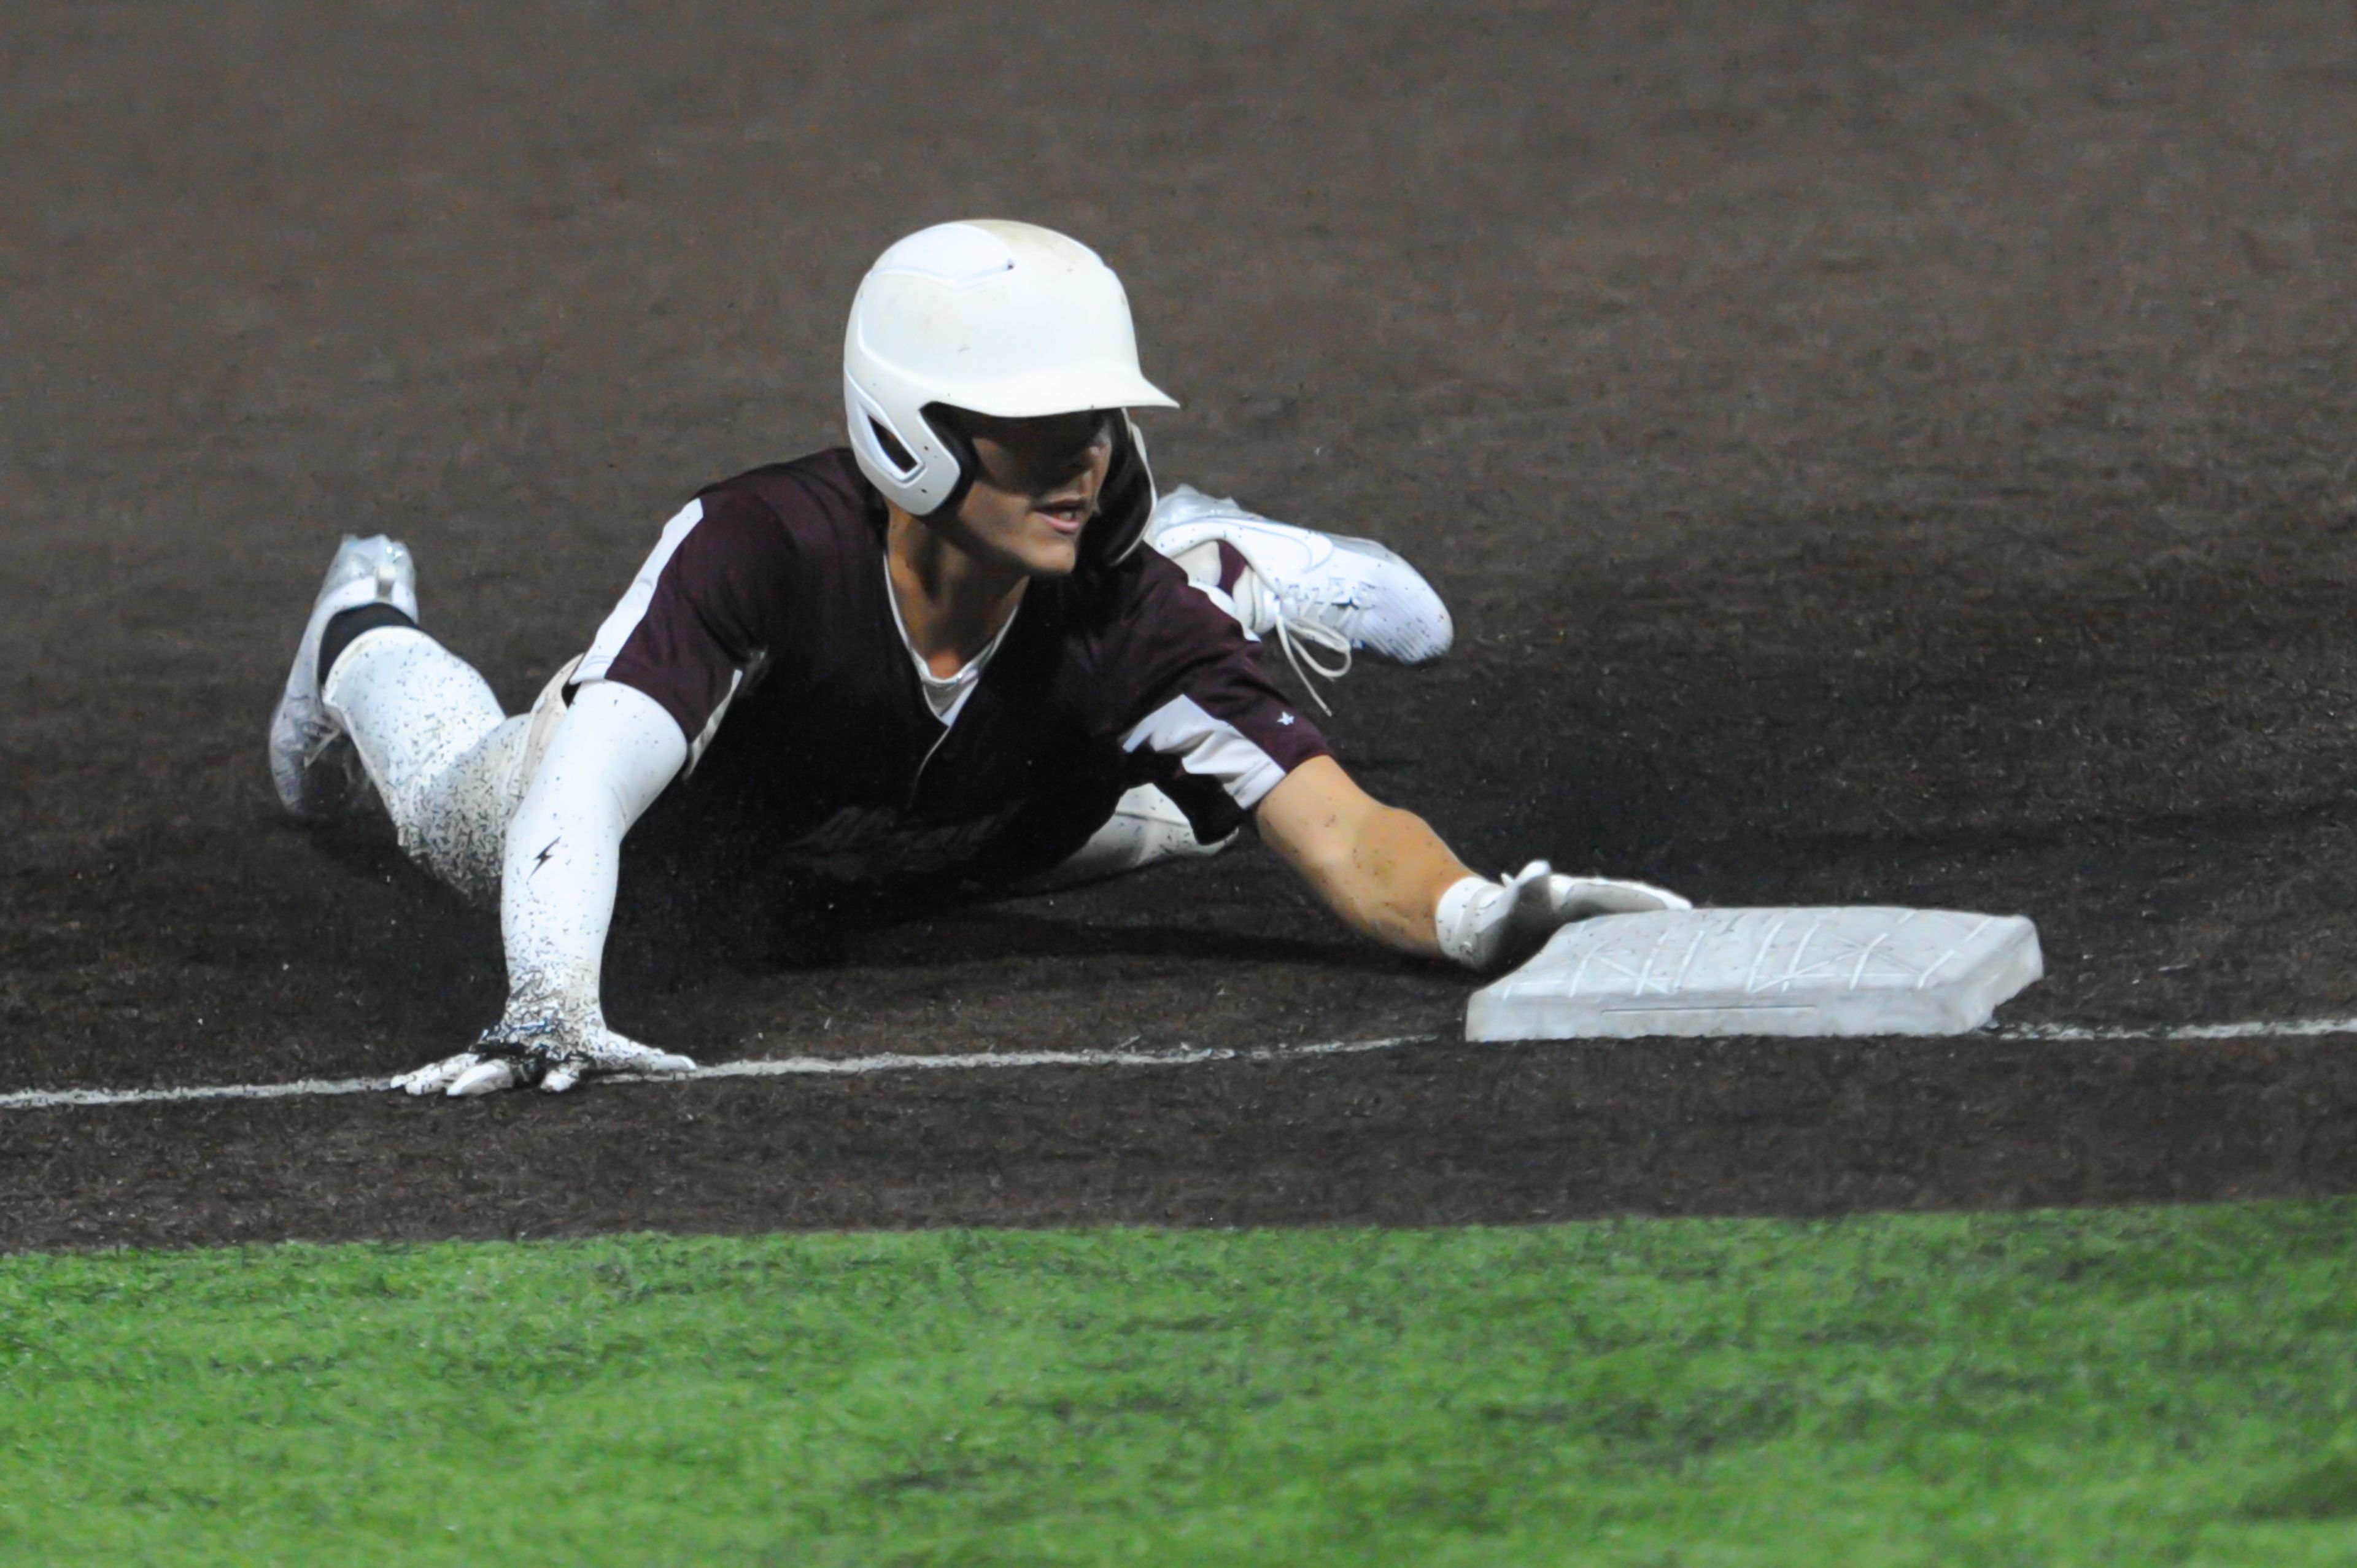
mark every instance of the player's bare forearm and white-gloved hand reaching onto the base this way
{"type": "Point", "coordinates": [1392, 878]}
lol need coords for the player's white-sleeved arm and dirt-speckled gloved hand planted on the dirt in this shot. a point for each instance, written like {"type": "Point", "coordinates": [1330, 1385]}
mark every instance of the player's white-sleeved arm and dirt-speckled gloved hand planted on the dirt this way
{"type": "Point", "coordinates": [609, 760]}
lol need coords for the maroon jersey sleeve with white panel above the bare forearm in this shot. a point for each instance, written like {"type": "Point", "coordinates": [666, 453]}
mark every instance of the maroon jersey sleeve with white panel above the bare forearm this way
{"type": "Point", "coordinates": [1203, 723]}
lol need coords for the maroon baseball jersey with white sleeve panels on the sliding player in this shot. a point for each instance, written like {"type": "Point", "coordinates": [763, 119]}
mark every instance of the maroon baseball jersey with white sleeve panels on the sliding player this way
{"type": "Point", "coordinates": [765, 624]}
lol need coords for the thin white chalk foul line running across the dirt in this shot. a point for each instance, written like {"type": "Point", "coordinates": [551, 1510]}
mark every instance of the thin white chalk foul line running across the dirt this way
{"type": "Point", "coordinates": [1116, 1058]}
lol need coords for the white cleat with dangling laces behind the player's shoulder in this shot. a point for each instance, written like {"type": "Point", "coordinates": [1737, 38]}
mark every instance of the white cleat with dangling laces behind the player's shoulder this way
{"type": "Point", "coordinates": [1307, 588]}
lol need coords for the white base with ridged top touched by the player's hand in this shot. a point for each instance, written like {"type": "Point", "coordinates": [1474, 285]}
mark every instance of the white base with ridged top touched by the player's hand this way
{"type": "Point", "coordinates": [1847, 970]}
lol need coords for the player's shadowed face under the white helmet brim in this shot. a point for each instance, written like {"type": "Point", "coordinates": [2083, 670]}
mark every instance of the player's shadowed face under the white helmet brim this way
{"type": "Point", "coordinates": [1036, 489]}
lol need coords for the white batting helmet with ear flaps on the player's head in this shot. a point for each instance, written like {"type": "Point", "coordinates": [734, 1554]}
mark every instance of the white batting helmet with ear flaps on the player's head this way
{"type": "Point", "coordinates": [1005, 319]}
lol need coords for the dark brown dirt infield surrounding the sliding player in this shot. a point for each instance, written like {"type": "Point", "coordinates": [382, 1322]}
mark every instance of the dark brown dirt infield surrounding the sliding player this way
{"type": "Point", "coordinates": [1873, 452]}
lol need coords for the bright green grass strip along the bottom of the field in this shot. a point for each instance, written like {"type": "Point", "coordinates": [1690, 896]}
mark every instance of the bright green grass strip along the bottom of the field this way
{"type": "Point", "coordinates": [2108, 1388]}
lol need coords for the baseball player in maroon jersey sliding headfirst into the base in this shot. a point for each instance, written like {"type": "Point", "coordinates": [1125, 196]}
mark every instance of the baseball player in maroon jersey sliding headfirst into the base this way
{"type": "Point", "coordinates": [972, 652]}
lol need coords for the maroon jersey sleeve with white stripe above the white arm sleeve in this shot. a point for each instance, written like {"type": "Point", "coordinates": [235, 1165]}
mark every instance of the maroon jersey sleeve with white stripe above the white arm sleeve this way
{"type": "Point", "coordinates": [701, 617]}
